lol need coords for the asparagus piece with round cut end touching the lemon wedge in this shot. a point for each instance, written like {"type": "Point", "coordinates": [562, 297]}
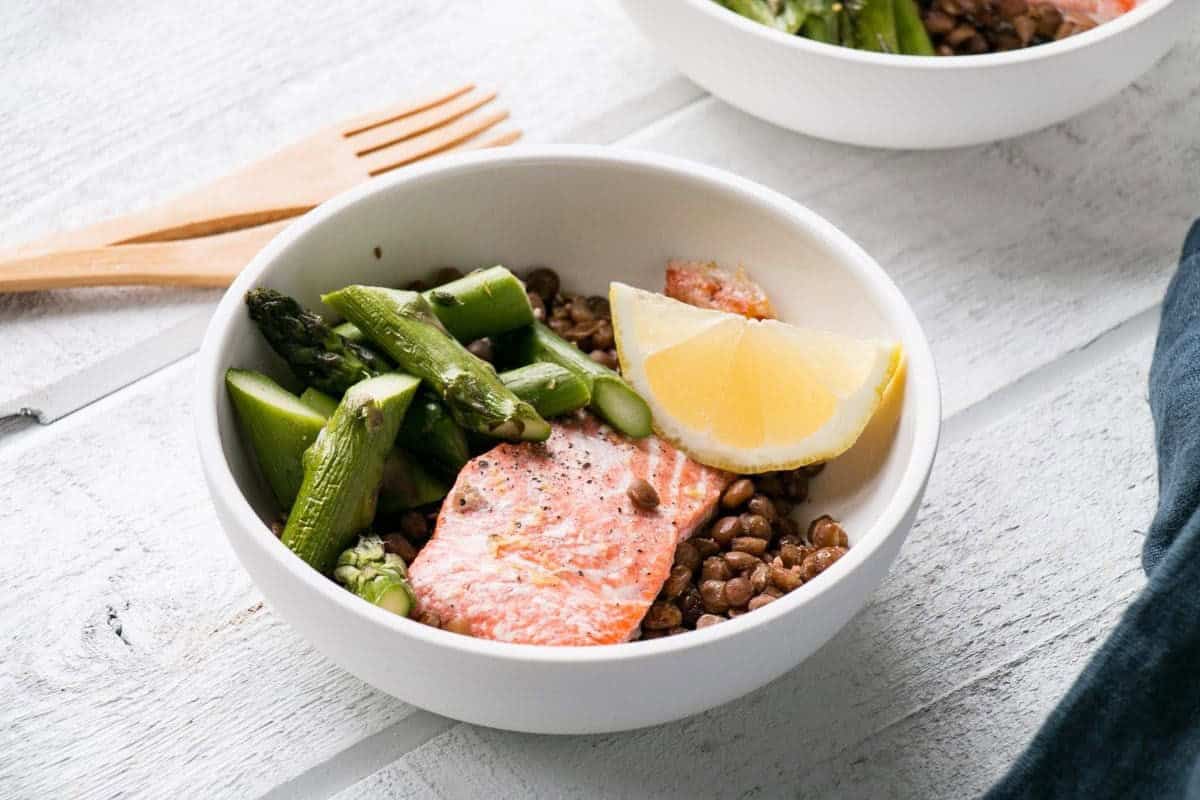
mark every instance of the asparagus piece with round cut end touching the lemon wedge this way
{"type": "Point", "coordinates": [613, 399]}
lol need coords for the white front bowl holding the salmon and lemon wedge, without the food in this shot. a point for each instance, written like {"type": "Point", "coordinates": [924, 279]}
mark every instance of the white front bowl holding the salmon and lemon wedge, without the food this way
{"type": "Point", "coordinates": [596, 215]}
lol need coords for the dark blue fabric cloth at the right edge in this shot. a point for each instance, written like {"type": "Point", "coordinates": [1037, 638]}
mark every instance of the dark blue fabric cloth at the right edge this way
{"type": "Point", "coordinates": [1130, 727]}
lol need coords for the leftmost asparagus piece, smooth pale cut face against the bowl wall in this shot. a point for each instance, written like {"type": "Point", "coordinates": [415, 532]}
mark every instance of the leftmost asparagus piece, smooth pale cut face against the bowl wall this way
{"type": "Point", "coordinates": [278, 426]}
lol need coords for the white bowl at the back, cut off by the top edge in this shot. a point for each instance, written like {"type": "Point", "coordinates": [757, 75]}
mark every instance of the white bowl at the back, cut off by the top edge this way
{"type": "Point", "coordinates": [903, 101]}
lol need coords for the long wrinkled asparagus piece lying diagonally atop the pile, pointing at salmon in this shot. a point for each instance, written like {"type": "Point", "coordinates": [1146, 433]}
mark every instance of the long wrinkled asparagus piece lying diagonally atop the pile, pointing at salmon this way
{"type": "Point", "coordinates": [403, 323]}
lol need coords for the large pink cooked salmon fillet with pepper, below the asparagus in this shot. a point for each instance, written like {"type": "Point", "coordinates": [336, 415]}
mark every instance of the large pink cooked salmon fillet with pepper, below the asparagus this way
{"type": "Point", "coordinates": [539, 544]}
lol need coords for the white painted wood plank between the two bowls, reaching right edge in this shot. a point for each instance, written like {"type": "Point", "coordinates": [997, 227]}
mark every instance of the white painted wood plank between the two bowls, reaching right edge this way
{"type": "Point", "coordinates": [1012, 254]}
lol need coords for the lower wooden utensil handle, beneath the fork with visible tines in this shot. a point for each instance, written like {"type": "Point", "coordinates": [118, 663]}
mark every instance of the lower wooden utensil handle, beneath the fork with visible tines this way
{"type": "Point", "coordinates": [207, 262]}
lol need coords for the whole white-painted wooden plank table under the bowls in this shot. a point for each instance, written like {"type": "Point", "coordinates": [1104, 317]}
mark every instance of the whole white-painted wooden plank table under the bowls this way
{"type": "Point", "coordinates": [139, 659]}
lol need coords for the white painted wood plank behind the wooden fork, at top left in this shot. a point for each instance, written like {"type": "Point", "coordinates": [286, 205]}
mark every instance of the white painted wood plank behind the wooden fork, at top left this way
{"type": "Point", "coordinates": [110, 109]}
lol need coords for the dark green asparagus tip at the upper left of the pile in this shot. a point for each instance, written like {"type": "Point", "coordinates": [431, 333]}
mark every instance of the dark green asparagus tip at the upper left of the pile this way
{"type": "Point", "coordinates": [320, 357]}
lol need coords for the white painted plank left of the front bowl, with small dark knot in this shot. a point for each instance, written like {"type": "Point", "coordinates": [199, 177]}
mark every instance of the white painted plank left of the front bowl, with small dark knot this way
{"type": "Point", "coordinates": [139, 658]}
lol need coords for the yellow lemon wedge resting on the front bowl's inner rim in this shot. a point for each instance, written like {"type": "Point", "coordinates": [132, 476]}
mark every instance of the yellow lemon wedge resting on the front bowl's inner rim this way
{"type": "Point", "coordinates": [746, 395]}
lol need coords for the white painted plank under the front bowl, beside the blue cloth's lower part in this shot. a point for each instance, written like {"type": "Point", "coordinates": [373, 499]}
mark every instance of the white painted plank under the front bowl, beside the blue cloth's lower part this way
{"type": "Point", "coordinates": [1029, 542]}
